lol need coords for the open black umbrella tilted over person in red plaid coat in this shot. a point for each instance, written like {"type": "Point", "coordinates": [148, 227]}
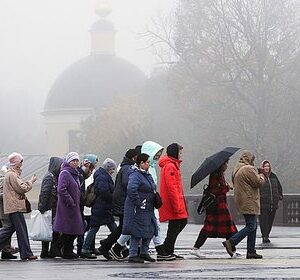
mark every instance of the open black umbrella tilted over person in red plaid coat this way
{"type": "Point", "coordinates": [211, 164]}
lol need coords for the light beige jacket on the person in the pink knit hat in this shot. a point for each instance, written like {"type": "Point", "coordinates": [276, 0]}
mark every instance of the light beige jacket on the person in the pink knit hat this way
{"type": "Point", "coordinates": [14, 192]}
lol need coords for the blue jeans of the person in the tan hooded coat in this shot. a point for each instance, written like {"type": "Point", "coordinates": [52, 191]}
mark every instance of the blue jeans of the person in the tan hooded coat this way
{"type": "Point", "coordinates": [249, 230]}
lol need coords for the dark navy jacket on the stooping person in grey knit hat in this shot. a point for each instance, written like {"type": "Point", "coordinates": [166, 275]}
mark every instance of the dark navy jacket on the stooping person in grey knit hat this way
{"type": "Point", "coordinates": [102, 207]}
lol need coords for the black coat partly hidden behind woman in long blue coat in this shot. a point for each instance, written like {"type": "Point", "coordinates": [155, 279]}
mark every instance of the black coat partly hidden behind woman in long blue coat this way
{"type": "Point", "coordinates": [121, 183]}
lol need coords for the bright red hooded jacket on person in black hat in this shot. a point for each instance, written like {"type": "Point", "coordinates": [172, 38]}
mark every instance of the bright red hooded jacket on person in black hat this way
{"type": "Point", "coordinates": [171, 190]}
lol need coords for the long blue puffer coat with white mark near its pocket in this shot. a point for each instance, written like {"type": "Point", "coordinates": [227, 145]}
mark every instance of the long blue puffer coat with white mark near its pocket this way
{"type": "Point", "coordinates": [139, 219]}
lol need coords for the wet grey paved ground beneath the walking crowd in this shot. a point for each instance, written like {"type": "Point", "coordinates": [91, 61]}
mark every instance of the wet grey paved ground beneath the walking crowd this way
{"type": "Point", "coordinates": [281, 261]}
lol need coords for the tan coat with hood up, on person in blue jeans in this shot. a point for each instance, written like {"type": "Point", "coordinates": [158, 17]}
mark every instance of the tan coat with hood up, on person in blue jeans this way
{"type": "Point", "coordinates": [246, 184]}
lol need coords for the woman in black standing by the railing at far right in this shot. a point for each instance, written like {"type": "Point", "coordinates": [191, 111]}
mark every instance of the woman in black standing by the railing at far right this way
{"type": "Point", "coordinates": [270, 194]}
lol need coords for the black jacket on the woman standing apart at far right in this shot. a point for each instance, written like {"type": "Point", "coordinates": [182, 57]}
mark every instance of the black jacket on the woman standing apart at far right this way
{"type": "Point", "coordinates": [270, 193]}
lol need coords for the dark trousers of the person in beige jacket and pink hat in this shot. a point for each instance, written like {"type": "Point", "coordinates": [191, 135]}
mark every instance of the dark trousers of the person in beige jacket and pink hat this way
{"type": "Point", "coordinates": [18, 225]}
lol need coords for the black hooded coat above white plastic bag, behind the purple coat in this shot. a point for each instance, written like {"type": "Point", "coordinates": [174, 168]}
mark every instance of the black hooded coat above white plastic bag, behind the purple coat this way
{"type": "Point", "coordinates": [48, 193]}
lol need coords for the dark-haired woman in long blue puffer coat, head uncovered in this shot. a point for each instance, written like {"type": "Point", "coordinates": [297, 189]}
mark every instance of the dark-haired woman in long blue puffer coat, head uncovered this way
{"type": "Point", "coordinates": [139, 218]}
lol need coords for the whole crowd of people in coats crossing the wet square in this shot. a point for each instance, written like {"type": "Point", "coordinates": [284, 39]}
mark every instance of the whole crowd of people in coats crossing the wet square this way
{"type": "Point", "coordinates": [134, 199]}
